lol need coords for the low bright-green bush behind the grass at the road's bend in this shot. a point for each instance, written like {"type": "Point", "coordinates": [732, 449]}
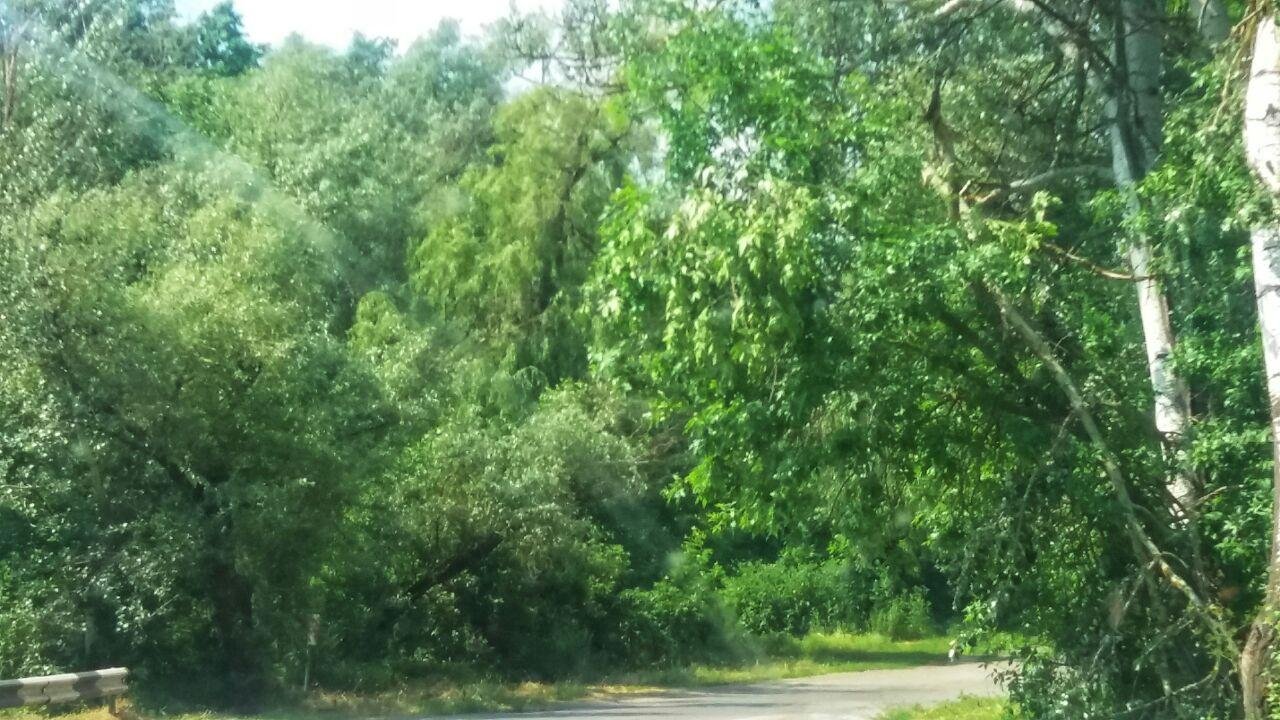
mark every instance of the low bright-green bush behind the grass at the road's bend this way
{"type": "Point", "coordinates": [796, 598]}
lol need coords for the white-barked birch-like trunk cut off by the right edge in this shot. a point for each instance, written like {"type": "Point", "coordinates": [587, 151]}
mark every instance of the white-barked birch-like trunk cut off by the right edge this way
{"type": "Point", "coordinates": [1263, 144]}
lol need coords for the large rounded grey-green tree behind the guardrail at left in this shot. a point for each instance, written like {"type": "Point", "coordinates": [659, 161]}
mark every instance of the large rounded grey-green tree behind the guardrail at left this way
{"type": "Point", "coordinates": [175, 416]}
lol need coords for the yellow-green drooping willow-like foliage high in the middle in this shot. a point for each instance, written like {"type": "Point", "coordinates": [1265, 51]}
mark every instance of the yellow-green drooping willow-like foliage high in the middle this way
{"type": "Point", "coordinates": [513, 247]}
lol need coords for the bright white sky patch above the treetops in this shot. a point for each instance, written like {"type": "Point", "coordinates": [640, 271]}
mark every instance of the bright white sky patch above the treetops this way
{"type": "Point", "coordinates": [333, 22]}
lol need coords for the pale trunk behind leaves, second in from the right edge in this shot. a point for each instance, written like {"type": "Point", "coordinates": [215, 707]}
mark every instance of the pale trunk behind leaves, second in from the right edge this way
{"type": "Point", "coordinates": [1136, 115]}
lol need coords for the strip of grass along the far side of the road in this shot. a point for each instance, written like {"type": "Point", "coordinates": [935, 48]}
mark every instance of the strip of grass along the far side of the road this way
{"type": "Point", "coordinates": [774, 659]}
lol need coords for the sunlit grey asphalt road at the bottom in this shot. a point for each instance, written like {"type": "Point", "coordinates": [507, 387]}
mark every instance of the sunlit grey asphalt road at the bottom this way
{"type": "Point", "coordinates": [847, 696]}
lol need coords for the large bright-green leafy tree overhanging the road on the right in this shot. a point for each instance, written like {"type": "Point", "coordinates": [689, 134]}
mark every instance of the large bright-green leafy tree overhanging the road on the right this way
{"type": "Point", "coordinates": [902, 367]}
